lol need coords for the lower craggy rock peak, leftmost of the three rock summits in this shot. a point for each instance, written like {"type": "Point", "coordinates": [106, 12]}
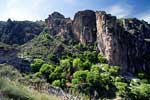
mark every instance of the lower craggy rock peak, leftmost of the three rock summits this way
{"type": "Point", "coordinates": [58, 24]}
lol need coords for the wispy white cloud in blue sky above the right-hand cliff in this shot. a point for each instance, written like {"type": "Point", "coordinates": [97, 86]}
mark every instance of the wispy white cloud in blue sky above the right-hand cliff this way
{"type": "Point", "coordinates": [119, 10]}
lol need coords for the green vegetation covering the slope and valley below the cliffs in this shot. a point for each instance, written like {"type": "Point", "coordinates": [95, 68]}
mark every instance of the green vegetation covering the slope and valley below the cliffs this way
{"type": "Point", "coordinates": [78, 69]}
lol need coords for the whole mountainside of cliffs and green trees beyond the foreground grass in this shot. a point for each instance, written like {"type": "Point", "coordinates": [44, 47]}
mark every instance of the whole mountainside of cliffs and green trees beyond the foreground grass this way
{"type": "Point", "coordinates": [93, 56]}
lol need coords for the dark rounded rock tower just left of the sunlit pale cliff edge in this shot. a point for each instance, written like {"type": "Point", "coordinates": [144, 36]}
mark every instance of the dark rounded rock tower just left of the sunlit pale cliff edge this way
{"type": "Point", "coordinates": [84, 26]}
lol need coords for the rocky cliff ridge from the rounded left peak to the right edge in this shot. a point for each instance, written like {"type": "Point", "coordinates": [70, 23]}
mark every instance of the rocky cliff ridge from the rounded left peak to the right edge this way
{"type": "Point", "coordinates": [124, 42]}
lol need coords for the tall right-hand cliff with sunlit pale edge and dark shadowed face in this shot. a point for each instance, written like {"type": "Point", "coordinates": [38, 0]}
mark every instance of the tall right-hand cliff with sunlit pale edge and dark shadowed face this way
{"type": "Point", "coordinates": [124, 42]}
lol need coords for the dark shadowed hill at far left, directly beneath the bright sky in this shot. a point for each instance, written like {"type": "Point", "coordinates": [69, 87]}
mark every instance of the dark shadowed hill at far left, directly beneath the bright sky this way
{"type": "Point", "coordinates": [18, 32]}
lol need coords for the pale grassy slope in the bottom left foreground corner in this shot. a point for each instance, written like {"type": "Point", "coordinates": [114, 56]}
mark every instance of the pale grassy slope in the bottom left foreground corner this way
{"type": "Point", "coordinates": [12, 88]}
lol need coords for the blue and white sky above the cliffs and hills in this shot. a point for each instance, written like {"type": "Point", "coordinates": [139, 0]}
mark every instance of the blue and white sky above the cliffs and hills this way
{"type": "Point", "coordinates": [40, 9]}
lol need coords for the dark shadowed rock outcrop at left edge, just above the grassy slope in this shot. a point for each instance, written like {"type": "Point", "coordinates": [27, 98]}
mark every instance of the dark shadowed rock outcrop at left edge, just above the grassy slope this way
{"type": "Point", "coordinates": [8, 55]}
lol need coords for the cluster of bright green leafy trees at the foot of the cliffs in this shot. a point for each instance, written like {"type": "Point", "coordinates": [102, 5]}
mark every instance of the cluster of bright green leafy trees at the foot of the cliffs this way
{"type": "Point", "coordinates": [88, 74]}
